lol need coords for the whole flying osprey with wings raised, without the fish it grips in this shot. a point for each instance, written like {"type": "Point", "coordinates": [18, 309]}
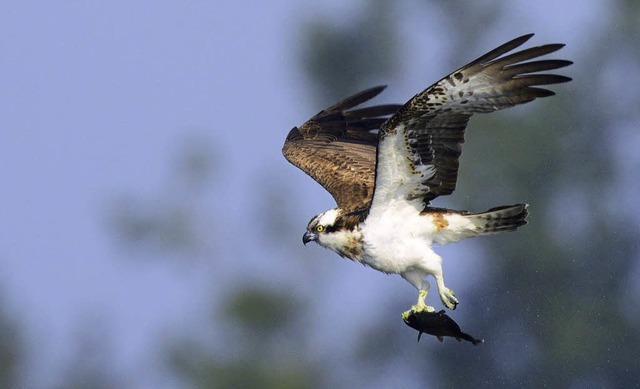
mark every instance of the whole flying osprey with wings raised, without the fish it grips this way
{"type": "Point", "coordinates": [384, 165]}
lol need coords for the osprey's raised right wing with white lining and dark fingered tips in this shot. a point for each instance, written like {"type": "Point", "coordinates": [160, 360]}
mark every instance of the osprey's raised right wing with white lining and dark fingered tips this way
{"type": "Point", "coordinates": [420, 145]}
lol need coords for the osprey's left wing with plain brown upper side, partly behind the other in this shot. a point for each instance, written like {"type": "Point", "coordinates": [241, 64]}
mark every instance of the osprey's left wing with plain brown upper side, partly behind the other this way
{"type": "Point", "coordinates": [337, 148]}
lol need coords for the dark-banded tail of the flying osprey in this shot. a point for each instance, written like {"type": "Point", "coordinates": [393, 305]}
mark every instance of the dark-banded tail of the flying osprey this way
{"type": "Point", "coordinates": [499, 219]}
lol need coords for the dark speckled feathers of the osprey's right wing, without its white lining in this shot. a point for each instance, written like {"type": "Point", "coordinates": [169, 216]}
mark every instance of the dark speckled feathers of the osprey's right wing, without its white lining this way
{"type": "Point", "coordinates": [436, 118]}
